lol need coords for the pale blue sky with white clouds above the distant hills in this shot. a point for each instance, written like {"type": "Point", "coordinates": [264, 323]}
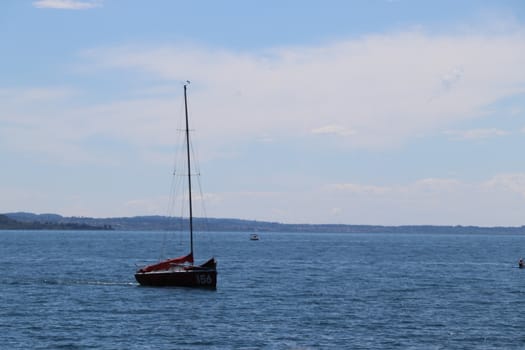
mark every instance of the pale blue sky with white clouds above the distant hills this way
{"type": "Point", "coordinates": [383, 112]}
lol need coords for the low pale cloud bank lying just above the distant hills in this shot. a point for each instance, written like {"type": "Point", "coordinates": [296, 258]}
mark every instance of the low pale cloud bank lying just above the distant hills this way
{"type": "Point", "coordinates": [497, 201]}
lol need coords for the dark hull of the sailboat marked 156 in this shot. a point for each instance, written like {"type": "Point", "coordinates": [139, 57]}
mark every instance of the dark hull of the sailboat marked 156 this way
{"type": "Point", "coordinates": [197, 279]}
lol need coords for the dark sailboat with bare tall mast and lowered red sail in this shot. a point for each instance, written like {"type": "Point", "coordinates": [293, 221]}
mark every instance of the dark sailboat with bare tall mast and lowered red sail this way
{"type": "Point", "coordinates": [181, 271]}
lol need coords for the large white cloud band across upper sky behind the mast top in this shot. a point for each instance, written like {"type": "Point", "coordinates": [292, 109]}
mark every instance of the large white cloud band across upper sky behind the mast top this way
{"type": "Point", "coordinates": [375, 92]}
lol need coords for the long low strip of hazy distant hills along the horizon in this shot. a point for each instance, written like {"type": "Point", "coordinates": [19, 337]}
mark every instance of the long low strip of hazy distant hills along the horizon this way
{"type": "Point", "coordinates": [160, 223]}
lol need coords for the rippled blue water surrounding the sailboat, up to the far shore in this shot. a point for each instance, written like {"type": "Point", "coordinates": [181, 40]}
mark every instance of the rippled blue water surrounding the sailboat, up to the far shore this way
{"type": "Point", "coordinates": [75, 290]}
